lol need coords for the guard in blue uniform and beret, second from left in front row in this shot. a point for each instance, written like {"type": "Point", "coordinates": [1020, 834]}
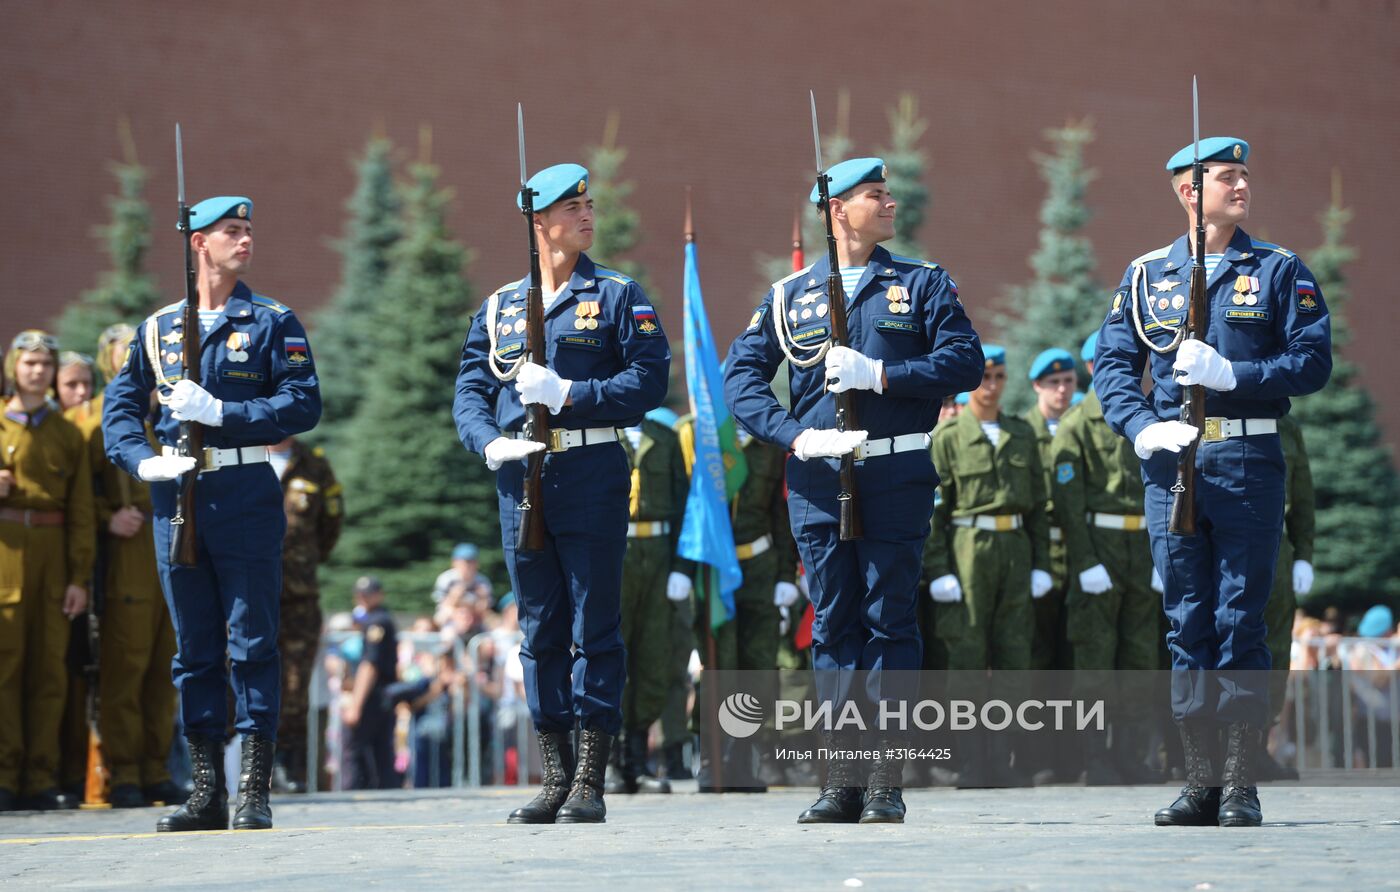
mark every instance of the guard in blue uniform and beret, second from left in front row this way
{"type": "Point", "coordinates": [608, 365]}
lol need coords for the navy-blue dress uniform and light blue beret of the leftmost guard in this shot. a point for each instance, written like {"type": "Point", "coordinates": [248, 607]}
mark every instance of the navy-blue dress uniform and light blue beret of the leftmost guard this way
{"type": "Point", "coordinates": [226, 610]}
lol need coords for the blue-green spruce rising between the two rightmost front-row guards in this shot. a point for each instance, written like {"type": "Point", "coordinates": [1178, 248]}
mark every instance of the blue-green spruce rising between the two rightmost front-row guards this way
{"type": "Point", "coordinates": [1063, 303]}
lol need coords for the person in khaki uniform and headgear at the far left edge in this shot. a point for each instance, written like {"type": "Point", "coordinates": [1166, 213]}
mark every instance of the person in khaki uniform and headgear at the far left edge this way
{"type": "Point", "coordinates": [47, 548]}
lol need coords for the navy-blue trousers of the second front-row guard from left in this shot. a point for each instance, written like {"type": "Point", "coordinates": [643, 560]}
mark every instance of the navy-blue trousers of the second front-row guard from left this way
{"type": "Point", "coordinates": [570, 593]}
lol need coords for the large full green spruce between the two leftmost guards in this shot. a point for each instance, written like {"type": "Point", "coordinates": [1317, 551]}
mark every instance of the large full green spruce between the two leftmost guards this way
{"type": "Point", "coordinates": [412, 491]}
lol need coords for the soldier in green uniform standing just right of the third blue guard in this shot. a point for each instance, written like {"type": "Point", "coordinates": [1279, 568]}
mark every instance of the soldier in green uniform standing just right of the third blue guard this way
{"type": "Point", "coordinates": [988, 548]}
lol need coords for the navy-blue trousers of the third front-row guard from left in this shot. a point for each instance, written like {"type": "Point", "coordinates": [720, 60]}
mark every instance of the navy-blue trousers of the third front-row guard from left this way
{"type": "Point", "coordinates": [864, 593]}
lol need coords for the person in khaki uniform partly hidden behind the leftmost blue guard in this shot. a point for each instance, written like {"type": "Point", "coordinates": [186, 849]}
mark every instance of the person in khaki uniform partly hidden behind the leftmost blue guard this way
{"type": "Point", "coordinates": [136, 716]}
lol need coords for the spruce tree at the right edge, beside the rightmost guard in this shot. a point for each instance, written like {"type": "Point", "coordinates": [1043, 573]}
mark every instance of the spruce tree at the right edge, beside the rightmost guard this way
{"type": "Point", "coordinates": [1354, 475]}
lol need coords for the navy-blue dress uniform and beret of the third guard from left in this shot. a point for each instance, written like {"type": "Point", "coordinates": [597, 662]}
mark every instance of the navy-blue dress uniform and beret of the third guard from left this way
{"type": "Point", "coordinates": [905, 313]}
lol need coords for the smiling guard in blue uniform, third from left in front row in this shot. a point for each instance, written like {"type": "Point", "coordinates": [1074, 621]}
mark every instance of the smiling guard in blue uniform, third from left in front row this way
{"type": "Point", "coordinates": [911, 347]}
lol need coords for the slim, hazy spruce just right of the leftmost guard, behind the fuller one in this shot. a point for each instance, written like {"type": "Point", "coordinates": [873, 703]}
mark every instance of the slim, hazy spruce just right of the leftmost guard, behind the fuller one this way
{"type": "Point", "coordinates": [346, 334]}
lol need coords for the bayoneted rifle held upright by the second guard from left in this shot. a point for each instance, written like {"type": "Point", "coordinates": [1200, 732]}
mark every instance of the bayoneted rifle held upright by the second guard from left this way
{"type": "Point", "coordinates": [531, 533]}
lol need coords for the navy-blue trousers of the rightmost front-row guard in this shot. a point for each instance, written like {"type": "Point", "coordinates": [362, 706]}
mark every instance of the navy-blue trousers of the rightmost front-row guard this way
{"type": "Point", "coordinates": [1219, 582]}
